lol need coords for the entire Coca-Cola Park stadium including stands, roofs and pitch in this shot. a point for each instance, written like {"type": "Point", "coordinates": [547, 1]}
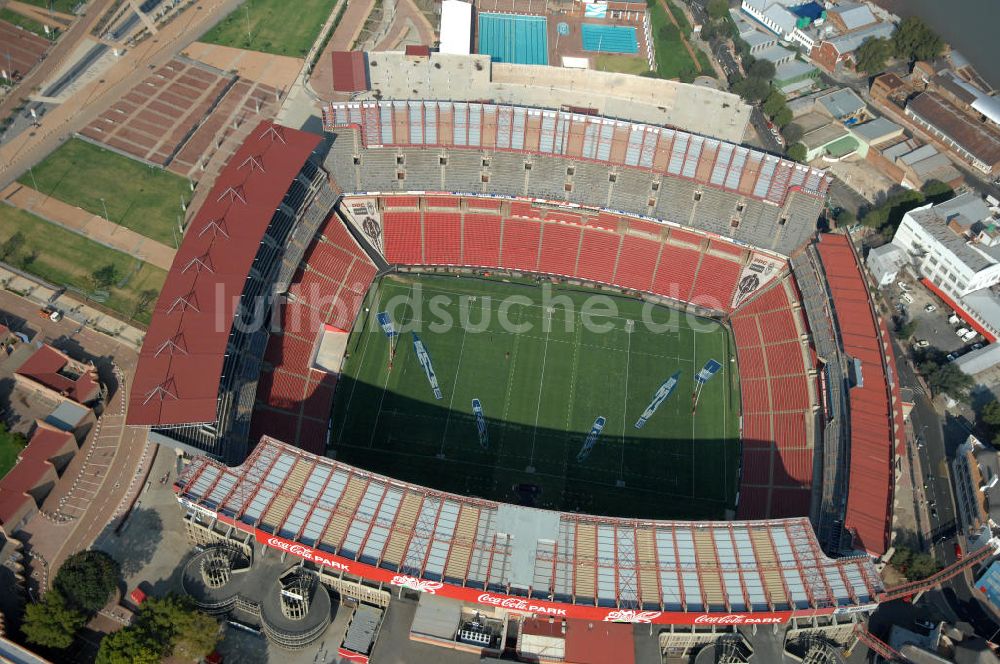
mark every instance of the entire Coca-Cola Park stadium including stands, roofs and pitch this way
{"type": "Point", "coordinates": [719, 453]}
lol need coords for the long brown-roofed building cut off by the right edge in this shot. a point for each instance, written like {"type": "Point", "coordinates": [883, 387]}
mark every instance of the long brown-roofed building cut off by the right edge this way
{"type": "Point", "coordinates": [971, 139]}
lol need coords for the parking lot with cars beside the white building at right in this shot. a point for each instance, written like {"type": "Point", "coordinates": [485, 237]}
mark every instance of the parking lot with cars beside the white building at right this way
{"type": "Point", "coordinates": [931, 326]}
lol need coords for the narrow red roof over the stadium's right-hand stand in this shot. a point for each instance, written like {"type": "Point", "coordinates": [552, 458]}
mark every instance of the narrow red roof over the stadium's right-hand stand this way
{"type": "Point", "coordinates": [869, 496]}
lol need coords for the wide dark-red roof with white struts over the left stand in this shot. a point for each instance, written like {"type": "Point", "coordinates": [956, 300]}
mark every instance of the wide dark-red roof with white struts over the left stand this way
{"type": "Point", "coordinates": [180, 366]}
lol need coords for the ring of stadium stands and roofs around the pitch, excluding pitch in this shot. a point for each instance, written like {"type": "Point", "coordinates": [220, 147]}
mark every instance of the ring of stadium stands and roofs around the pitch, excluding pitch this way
{"type": "Point", "coordinates": [446, 184]}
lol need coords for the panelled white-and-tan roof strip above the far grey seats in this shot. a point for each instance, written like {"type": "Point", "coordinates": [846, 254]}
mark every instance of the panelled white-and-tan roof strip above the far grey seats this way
{"type": "Point", "coordinates": [576, 136]}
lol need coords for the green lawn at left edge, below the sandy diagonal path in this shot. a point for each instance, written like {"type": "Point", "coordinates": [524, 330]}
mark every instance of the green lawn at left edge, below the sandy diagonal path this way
{"type": "Point", "coordinates": [67, 259]}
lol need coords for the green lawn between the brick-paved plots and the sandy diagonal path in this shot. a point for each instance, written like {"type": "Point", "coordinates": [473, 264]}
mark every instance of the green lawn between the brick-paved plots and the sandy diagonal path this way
{"type": "Point", "coordinates": [144, 198]}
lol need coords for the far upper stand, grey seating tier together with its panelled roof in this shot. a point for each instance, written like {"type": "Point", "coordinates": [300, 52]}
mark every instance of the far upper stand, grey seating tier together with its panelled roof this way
{"type": "Point", "coordinates": [731, 191]}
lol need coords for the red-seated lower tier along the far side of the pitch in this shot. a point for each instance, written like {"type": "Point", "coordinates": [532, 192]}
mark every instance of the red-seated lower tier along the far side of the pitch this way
{"type": "Point", "coordinates": [685, 266]}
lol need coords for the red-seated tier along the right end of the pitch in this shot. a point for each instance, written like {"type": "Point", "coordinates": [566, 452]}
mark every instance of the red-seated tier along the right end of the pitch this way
{"type": "Point", "coordinates": [777, 393]}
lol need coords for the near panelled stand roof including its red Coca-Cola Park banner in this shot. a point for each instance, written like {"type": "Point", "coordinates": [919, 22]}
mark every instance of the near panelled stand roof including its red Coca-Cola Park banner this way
{"type": "Point", "coordinates": [569, 565]}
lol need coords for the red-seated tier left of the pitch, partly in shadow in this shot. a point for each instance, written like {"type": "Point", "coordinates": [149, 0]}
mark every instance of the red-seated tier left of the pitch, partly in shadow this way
{"type": "Point", "coordinates": [294, 398]}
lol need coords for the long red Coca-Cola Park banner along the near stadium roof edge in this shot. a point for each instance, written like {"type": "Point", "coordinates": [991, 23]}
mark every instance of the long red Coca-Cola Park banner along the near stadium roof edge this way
{"type": "Point", "coordinates": [521, 604]}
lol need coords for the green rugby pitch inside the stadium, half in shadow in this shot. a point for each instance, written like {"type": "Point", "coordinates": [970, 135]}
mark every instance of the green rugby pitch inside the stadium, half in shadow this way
{"type": "Point", "coordinates": [545, 367]}
